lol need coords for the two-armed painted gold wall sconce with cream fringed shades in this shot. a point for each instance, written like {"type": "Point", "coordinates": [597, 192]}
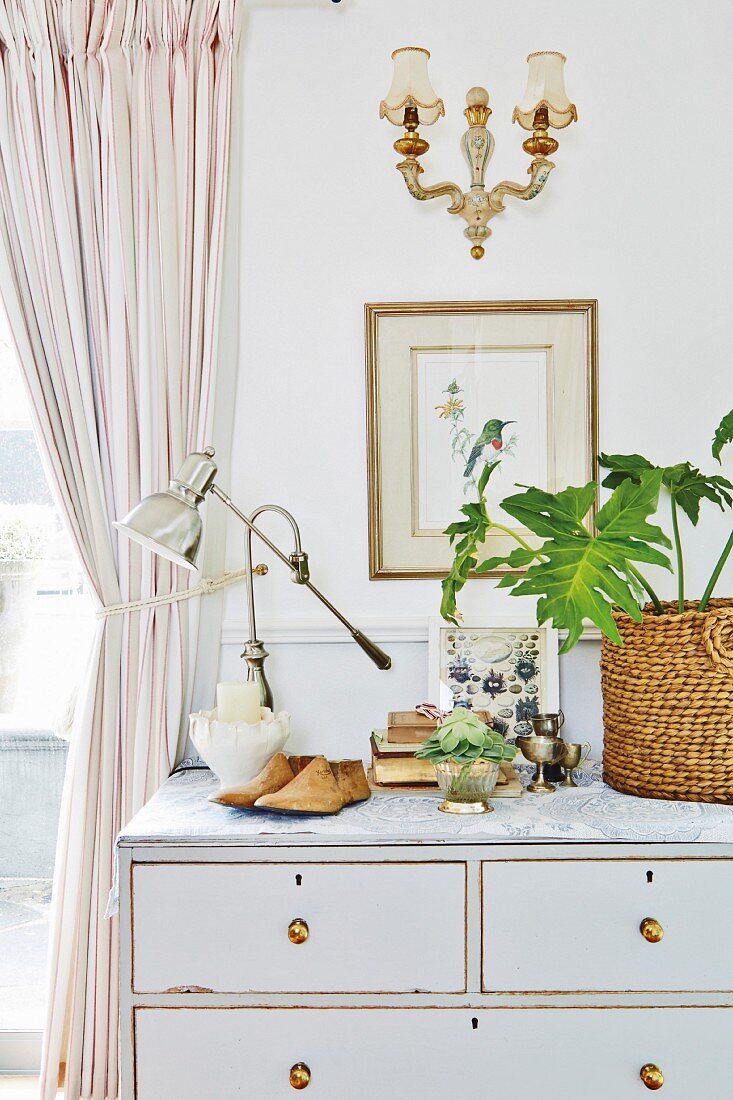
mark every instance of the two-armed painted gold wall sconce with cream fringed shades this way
{"type": "Point", "coordinates": [412, 102]}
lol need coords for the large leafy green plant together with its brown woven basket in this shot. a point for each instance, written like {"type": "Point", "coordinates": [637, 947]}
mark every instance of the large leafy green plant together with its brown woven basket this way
{"type": "Point", "coordinates": [666, 667]}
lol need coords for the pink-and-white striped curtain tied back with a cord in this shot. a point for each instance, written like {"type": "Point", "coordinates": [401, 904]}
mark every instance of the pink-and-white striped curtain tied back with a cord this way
{"type": "Point", "coordinates": [116, 148]}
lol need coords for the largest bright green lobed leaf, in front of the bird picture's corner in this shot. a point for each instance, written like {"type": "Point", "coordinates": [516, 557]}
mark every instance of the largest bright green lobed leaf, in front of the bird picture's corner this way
{"type": "Point", "coordinates": [577, 575]}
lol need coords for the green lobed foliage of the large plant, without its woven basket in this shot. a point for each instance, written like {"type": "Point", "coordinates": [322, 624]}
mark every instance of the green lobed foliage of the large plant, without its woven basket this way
{"type": "Point", "coordinates": [579, 573]}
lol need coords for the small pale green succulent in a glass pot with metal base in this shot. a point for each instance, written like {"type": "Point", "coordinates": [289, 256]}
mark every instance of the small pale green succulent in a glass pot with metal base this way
{"type": "Point", "coordinates": [467, 756]}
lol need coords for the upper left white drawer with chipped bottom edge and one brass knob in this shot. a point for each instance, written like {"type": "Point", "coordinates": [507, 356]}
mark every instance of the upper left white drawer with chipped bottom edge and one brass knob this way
{"type": "Point", "coordinates": [227, 928]}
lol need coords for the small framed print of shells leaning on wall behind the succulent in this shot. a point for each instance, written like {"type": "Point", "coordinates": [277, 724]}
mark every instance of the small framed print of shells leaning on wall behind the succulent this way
{"type": "Point", "coordinates": [508, 667]}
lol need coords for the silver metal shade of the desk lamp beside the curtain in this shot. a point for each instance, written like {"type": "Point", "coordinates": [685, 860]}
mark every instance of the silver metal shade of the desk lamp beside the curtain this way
{"type": "Point", "coordinates": [169, 523]}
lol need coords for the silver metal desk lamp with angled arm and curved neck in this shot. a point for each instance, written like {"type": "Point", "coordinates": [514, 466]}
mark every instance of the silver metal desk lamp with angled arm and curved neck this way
{"type": "Point", "coordinates": [170, 525]}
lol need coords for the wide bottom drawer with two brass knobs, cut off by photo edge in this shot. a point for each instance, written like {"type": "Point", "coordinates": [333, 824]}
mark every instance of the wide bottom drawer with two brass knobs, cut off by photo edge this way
{"type": "Point", "coordinates": [430, 1054]}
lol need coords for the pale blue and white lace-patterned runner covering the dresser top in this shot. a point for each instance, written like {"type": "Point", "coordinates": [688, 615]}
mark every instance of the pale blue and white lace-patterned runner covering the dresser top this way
{"type": "Point", "coordinates": [181, 812]}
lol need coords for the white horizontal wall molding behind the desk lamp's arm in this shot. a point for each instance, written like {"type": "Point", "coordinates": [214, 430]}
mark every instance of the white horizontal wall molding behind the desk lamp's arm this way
{"type": "Point", "coordinates": [324, 632]}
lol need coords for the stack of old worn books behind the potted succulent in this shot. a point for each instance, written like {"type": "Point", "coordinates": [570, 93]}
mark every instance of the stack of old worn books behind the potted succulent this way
{"type": "Point", "coordinates": [396, 766]}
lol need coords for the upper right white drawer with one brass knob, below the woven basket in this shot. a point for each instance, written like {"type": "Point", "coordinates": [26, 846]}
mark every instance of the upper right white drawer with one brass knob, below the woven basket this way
{"type": "Point", "coordinates": [576, 926]}
